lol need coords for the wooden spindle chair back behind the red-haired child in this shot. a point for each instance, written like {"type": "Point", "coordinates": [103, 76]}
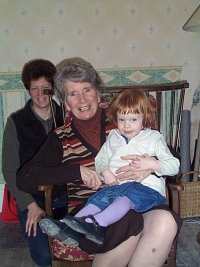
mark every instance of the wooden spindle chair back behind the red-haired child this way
{"type": "Point", "coordinates": [169, 105]}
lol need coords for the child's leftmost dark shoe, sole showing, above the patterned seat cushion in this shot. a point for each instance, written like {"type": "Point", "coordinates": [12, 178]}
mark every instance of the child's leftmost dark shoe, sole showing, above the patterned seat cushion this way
{"type": "Point", "coordinates": [60, 231]}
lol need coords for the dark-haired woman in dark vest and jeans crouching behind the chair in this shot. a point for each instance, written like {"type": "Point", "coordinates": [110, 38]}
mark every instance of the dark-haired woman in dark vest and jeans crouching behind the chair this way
{"type": "Point", "coordinates": [25, 131]}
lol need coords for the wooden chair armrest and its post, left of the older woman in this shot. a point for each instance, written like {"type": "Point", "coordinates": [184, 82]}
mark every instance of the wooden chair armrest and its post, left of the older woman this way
{"type": "Point", "coordinates": [47, 190]}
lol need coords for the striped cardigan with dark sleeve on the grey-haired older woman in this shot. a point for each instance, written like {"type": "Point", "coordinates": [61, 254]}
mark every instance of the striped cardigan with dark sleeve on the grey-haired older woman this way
{"type": "Point", "coordinates": [59, 159]}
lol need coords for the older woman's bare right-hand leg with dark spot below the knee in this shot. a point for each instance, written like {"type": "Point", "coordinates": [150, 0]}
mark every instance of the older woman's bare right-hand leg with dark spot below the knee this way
{"type": "Point", "coordinates": [155, 243]}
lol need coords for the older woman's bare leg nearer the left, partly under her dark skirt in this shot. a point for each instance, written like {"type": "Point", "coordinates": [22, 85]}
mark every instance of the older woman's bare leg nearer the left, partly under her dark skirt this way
{"type": "Point", "coordinates": [118, 257]}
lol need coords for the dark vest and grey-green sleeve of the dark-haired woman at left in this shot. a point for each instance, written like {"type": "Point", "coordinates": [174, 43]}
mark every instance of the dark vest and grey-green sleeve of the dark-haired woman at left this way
{"type": "Point", "coordinates": [24, 133]}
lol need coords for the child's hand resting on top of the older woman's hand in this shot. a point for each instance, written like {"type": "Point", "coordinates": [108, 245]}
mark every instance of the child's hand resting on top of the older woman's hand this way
{"type": "Point", "coordinates": [145, 162]}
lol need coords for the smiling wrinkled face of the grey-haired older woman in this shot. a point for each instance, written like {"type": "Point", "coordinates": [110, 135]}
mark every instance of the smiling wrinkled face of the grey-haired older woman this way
{"type": "Point", "coordinates": [82, 99]}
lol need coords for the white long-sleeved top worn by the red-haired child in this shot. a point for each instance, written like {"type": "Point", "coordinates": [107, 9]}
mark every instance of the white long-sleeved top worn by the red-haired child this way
{"type": "Point", "coordinates": [149, 142]}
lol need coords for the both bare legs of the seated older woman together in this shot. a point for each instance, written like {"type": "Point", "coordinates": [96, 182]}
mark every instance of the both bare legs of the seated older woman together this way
{"type": "Point", "coordinates": [148, 250]}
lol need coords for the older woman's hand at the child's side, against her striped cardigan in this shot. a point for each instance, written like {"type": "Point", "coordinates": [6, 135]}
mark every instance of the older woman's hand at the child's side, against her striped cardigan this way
{"type": "Point", "coordinates": [90, 178]}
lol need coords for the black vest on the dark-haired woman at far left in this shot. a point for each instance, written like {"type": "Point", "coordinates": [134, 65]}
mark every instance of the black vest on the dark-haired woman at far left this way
{"type": "Point", "coordinates": [30, 131]}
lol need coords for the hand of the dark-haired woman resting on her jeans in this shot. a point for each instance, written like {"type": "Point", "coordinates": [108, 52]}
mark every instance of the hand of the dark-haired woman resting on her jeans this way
{"type": "Point", "coordinates": [35, 213]}
